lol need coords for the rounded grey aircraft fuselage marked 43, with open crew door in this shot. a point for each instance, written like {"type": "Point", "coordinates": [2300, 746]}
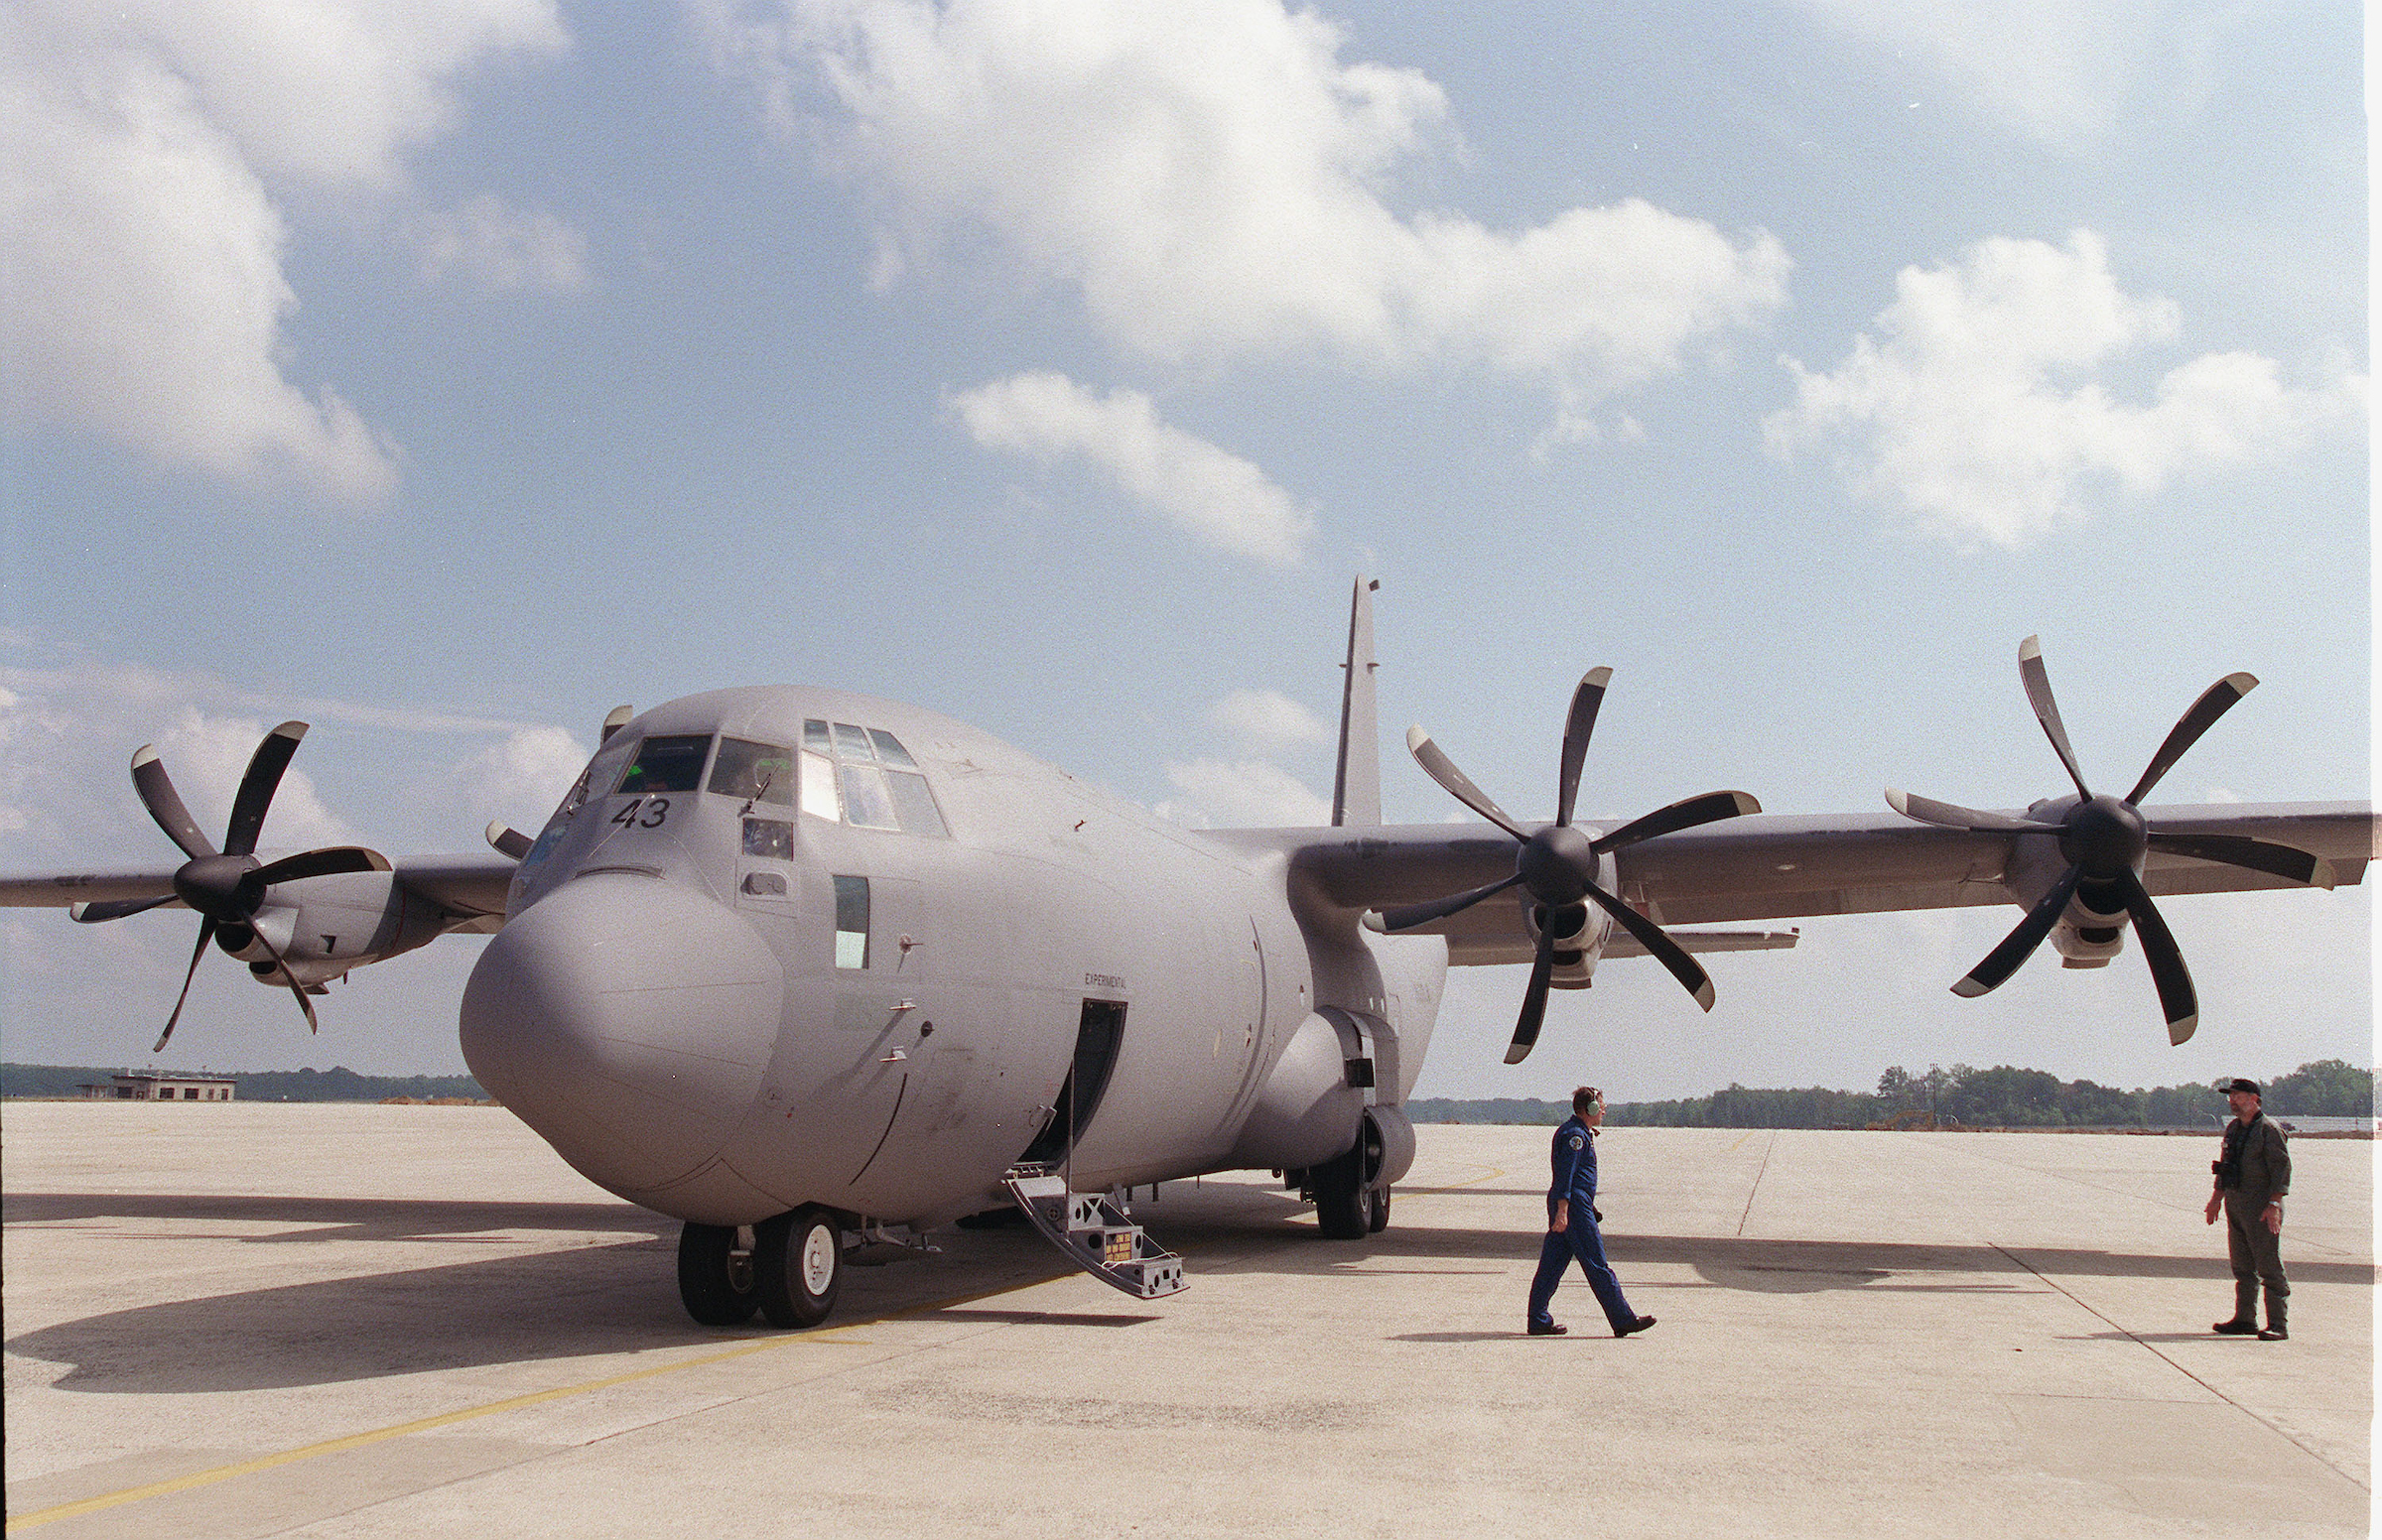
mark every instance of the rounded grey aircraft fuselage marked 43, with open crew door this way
{"type": "Point", "coordinates": [813, 949]}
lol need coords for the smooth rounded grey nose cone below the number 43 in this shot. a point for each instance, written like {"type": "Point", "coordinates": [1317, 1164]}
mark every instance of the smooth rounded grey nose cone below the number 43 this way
{"type": "Point", "coordinates": [630, 1022]}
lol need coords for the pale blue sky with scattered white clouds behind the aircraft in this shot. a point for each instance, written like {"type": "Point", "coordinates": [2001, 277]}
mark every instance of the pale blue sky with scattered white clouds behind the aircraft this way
{"type": "Point", "coordinates": [451, 373]}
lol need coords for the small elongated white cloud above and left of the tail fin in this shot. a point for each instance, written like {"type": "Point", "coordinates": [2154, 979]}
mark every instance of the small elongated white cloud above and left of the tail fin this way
{"type": "Point", "coordinates": [1190, 482]}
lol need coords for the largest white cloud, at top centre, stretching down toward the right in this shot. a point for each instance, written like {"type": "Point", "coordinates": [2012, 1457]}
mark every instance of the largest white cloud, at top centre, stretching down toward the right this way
{"type": "Point", "coordinates": [1216, 182]}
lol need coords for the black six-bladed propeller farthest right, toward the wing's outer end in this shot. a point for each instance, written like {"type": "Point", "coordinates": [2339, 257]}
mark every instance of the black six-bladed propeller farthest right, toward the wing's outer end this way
{"type": "Point", "coordinates": [2107, 841]}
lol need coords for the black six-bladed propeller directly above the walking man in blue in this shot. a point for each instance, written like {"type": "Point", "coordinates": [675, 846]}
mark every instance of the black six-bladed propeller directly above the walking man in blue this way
{"type": "Point", "coordinates": [1557, 863]}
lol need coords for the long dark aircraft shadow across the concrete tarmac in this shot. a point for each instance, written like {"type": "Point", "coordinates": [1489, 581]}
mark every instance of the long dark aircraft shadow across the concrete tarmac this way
{"type": "Point", "coordinates": [618, 1294]}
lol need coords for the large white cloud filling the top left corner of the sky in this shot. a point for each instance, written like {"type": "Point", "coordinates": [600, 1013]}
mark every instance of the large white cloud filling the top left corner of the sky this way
{"type": "Point", "coordinates": [142, 227]}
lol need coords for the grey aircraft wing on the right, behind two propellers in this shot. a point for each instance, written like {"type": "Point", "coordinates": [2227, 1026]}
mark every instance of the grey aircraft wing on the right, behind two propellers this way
{"type": "Point", "coordinates": [1769, 868]}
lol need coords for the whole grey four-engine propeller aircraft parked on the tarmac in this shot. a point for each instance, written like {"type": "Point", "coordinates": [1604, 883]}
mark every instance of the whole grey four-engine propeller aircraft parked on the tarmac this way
{"type": "Point", "coordinates": [811, 970]}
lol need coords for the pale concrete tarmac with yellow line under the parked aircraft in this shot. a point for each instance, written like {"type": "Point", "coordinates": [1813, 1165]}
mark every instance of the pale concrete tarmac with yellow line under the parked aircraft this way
{"type": "Point", "coordinates": [254, 1320]}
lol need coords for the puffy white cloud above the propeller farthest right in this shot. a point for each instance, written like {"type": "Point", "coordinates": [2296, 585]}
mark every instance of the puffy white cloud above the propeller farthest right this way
{"type": "Point", "coordinates": [1978, 413]}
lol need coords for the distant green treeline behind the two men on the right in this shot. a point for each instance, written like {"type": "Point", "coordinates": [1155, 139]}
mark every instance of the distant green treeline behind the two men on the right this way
{"type": "Point", "coordinates": [1973, 1098]}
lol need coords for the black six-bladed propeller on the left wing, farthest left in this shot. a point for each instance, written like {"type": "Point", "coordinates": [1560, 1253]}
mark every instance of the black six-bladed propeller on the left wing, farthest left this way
{"type": "Point", "coordinates": [227, 889]}
